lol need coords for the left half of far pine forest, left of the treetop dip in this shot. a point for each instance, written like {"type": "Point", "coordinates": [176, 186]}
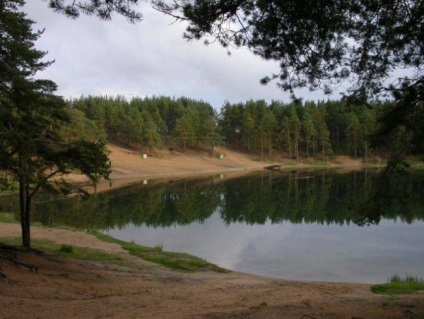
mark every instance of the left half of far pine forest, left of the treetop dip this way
{"type": "Point", "coordinates": [151, 123]}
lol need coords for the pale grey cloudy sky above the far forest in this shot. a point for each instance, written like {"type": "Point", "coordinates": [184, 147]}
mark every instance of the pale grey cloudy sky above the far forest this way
{"type": "Point", "coordinates": [95, 57]}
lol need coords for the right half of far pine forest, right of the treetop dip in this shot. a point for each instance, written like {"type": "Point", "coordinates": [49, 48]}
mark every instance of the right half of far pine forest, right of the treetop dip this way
{"type": "Point", "coordinates": [309, 129]}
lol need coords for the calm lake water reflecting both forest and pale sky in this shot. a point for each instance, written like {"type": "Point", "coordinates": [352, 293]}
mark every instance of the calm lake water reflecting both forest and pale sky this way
{"type": "Point", "coordinates": [297, 225]}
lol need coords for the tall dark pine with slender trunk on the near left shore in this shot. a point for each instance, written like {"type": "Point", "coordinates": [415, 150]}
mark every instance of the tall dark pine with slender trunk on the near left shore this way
{"type": "Point", "coordinates": [33, 153]}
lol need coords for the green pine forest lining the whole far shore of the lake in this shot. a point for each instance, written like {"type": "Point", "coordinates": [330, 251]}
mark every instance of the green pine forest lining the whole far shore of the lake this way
{"type": "Point", "coordinates": [269, 130]}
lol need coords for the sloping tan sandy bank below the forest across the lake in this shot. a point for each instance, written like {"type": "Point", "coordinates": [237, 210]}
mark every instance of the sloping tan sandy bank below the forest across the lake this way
{"type": "Point", "coordinates": [129, 166]}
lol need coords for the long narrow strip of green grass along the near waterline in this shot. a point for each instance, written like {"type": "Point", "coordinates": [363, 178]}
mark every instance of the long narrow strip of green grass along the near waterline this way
{"type": "Point", "coordinates": [156, 255]}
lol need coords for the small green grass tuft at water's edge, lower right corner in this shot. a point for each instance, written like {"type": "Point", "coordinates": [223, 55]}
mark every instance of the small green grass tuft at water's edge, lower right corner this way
{"type": "Point", "coordinates": [398, 285]}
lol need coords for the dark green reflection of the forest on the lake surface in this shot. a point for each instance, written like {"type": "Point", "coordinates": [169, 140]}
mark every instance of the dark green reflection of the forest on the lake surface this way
{"type": "Point", "coordinates": [319, 198]}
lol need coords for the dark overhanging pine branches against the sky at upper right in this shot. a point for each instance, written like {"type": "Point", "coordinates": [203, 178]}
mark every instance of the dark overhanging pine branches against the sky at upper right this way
{"type": "Point", "coordinates": [318, 43]}
